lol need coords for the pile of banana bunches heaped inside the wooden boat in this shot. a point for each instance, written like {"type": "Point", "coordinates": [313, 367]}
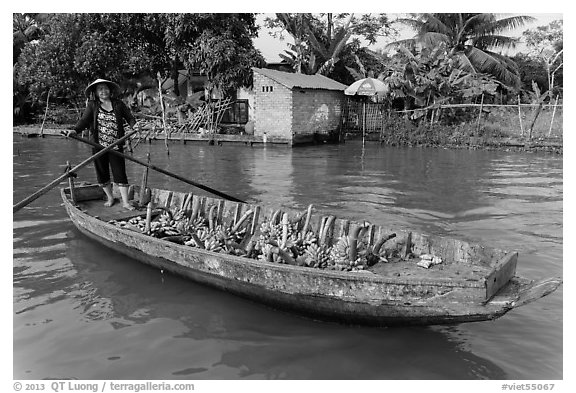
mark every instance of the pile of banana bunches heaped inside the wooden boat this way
{"type": "Point", "coordinates": [277, 240]}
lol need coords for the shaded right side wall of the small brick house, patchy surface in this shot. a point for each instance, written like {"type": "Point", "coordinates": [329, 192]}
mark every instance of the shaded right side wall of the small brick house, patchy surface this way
{"type": "Point", "coordinates": [315, 111]}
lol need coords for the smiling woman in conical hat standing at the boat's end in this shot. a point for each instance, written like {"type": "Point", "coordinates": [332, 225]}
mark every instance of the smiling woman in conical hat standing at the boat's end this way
{"type": "Point", "coordinates": [104, 117]}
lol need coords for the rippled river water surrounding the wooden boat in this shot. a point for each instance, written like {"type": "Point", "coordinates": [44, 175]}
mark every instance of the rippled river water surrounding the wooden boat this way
{"type": "Point", "coordinates": [83, 312]}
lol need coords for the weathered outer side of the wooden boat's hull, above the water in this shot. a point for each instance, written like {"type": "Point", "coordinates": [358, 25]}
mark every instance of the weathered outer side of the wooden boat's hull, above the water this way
{"type": "Point", "coordinates": [347, 297]}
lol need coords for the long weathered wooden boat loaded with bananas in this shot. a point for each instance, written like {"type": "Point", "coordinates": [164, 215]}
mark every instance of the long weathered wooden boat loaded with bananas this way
{"type": "Point", "coordinates": [323, 267]}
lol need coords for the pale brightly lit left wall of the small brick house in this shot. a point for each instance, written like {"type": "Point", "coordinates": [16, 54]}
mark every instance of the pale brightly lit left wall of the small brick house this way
{"type": "Point", "coordinates": [272, 109]}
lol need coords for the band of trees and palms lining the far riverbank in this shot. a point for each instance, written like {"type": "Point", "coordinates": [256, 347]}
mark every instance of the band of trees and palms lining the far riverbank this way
{"type": "Point", "coordinates": [452, 58]}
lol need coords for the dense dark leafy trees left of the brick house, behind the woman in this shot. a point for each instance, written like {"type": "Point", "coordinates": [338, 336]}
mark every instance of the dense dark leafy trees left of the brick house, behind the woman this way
{"type": "Point", "coordinates": [64, 52]}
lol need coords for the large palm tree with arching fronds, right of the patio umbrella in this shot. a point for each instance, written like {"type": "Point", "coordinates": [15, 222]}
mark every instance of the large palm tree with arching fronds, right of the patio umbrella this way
{"type": "Point", "coordinates": [472, 40]}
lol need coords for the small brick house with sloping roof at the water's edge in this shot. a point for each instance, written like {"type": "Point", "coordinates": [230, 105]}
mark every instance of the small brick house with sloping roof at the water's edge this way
{"type": "Point", "coordinates": [296, 108]}
